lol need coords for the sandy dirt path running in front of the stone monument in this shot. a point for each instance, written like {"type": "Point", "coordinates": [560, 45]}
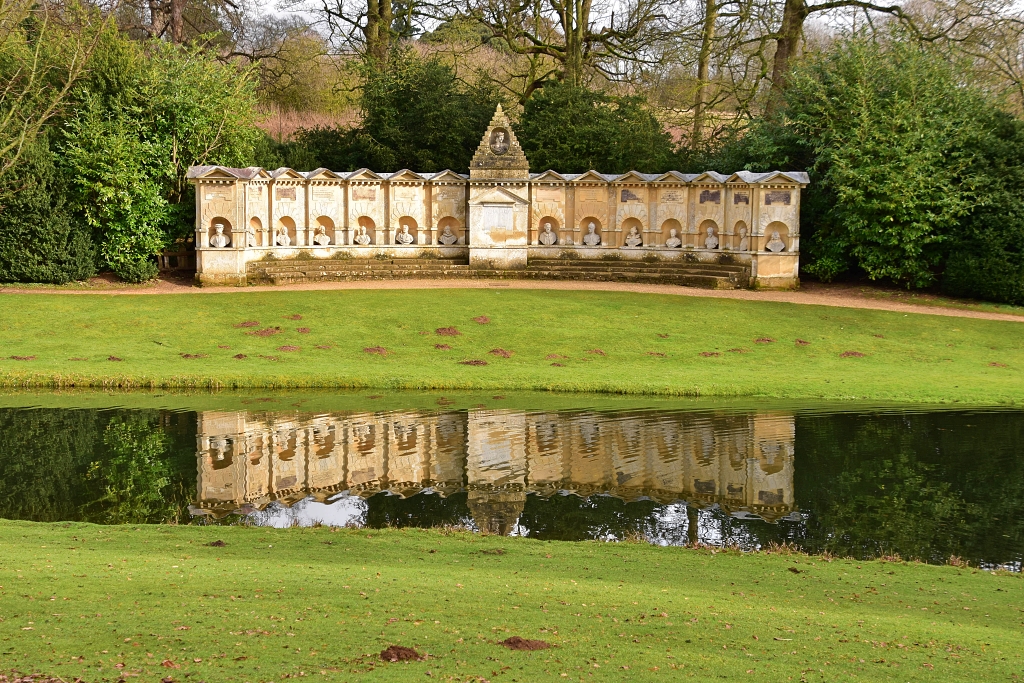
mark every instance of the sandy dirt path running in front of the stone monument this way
{"type": "Point", "coordinates": [843, 296]}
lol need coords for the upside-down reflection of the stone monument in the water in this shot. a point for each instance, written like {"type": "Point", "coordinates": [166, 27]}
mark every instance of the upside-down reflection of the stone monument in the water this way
{"type": "Point", "coordinates": [742, 462]}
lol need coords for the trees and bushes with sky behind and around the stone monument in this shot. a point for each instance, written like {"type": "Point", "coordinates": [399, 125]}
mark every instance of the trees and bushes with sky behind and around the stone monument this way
{"type": "Point", "coordinates": [908, 116]}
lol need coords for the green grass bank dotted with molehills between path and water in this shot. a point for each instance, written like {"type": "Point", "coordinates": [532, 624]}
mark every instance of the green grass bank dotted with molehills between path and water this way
{"type": "Point", "coordinates": [653, 345]}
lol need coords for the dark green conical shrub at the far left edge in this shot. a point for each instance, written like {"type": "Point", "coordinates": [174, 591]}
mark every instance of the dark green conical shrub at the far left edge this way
{"type": "Point", "coordinates": [40, 240]}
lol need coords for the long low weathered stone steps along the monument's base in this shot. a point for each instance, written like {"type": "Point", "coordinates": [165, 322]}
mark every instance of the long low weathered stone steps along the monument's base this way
{"type": "Point", "coordinates": [686, 274]}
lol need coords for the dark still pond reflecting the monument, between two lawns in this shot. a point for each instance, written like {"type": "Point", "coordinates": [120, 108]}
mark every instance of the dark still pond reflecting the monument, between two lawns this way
{"type": "Point", "coordinates": [851, 481]}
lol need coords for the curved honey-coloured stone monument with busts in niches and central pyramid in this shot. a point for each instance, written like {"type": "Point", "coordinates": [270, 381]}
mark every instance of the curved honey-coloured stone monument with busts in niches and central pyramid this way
{"type": "Point", "coordinates": [499, 218]}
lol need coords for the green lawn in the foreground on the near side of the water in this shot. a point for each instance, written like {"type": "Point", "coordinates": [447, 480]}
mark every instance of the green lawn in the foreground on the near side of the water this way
{"type": "Point", "coordinates": [78, 601]}
